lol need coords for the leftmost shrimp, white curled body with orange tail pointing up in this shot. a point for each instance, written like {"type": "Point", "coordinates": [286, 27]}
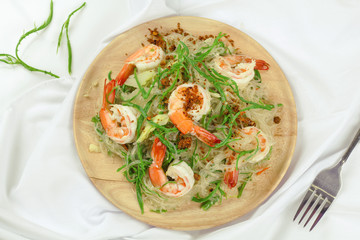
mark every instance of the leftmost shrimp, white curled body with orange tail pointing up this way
{"type": "Point", "coordinates": [118, 121]}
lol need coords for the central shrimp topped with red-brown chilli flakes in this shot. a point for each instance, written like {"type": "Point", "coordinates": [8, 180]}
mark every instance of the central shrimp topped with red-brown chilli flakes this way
{"type": "Point", "coordinates": [188, 103]}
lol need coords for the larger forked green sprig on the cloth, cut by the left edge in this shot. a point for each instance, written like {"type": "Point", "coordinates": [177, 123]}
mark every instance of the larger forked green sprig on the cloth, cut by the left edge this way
{"type": "Point", "coordinates": [13, 60]}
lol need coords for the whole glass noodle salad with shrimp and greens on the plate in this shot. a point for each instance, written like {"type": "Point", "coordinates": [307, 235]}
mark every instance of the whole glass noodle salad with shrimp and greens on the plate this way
{"type": "Point", "coordinates": [191, 119]}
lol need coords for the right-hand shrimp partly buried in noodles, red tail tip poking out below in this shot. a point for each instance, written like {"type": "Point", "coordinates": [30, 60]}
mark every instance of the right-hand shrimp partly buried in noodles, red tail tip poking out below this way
{"type": "Point", "coordinates": [260, 140]}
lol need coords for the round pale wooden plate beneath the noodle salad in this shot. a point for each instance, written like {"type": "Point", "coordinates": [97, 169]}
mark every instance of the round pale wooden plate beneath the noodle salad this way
{"type": "Point", "coordinates": [101, 168]}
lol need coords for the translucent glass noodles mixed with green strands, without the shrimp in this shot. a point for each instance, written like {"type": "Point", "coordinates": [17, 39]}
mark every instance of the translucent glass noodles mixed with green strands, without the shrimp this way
{"type": "Point", "coordinates": [190, 59]}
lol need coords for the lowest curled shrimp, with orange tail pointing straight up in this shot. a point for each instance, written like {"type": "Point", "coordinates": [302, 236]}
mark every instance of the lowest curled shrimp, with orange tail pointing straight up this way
{"type": "Point", "coordinates": [181, 173]}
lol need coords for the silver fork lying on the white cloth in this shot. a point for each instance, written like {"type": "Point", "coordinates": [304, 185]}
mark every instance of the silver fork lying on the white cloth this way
{"type": "Point", "coordinates": [324, 188]}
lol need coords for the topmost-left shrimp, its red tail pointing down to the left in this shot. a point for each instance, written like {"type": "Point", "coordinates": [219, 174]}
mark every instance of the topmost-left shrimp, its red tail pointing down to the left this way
{"type": "Point", "coordinates": [145, 58]}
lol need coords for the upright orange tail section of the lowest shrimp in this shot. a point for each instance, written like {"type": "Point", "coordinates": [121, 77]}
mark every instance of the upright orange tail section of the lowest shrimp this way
{"type": "Point", "coordinates": [156, 173]}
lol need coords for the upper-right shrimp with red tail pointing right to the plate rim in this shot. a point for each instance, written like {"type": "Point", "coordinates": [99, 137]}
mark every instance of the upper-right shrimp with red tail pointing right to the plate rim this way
{"type": "Point", "coordinates": [239, 68]}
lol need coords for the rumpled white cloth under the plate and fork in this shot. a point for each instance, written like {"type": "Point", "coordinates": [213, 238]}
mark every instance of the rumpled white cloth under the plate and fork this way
{"type": "Point", "coordinates": [44, 190]}
